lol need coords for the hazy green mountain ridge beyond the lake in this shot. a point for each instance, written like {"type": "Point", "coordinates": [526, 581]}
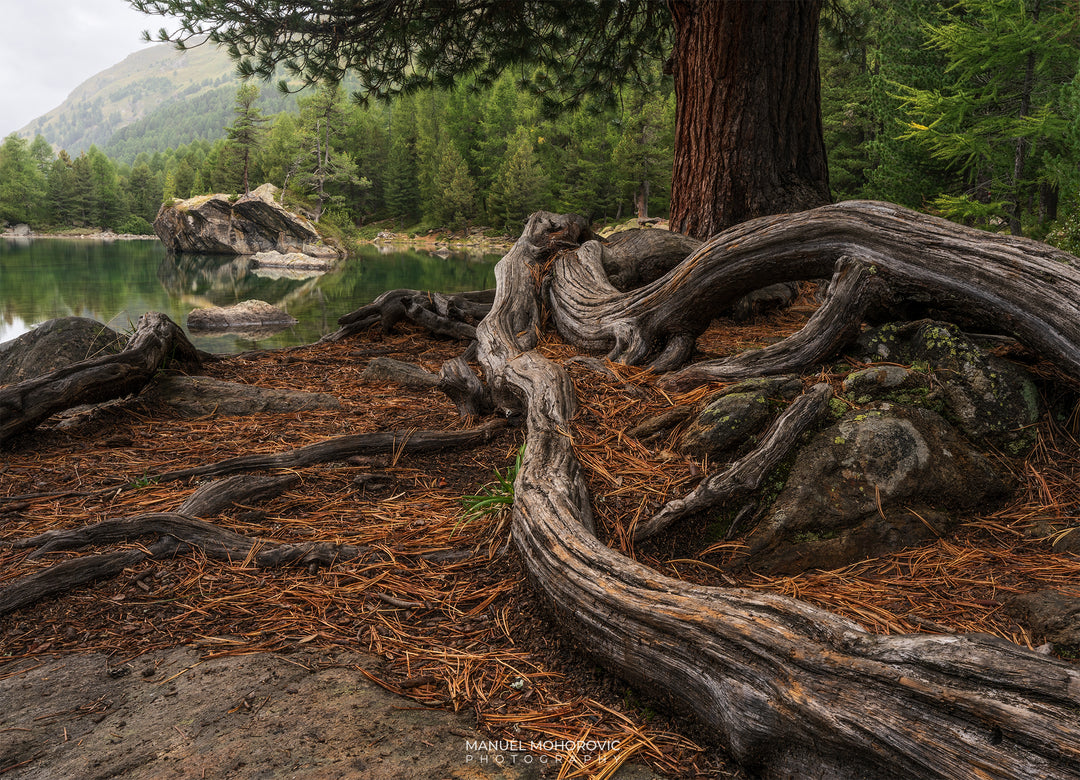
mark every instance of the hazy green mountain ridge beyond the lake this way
{"type": "Point", "coordinates": [156, 99]}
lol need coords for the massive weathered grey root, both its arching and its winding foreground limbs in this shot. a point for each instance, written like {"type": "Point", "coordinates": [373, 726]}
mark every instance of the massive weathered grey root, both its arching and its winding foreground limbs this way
{"type": "Point", "coordinates": [792, 690]}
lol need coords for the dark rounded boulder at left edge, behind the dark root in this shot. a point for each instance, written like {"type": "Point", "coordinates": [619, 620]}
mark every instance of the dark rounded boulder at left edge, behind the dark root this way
{"type": "Point", "coordinates": [57, 344]}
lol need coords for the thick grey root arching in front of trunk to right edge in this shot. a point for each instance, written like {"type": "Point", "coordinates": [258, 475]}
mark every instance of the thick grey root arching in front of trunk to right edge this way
{"type": "Point", "coordinates": [1008, 285]}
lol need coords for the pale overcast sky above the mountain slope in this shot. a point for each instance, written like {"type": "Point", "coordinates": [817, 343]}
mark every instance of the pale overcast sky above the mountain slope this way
{"type": "Point", "coordinates": [48, 48]}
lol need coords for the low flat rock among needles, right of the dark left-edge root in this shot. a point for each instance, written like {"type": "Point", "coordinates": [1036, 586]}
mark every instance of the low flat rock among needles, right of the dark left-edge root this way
{"type": "Point", "coordinates": [200, 397]}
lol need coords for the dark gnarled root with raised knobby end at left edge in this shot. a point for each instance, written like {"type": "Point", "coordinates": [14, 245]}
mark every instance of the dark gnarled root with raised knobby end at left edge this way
{"type": "Point", "coordinates": [157, 342]}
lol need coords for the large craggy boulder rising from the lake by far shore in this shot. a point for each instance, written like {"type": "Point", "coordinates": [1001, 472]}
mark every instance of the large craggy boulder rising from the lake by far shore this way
{"type": "Point", "coordinates": [226, 225]}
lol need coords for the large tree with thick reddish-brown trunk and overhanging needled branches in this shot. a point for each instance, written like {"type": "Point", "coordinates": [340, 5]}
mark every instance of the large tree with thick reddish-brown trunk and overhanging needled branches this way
{"type": "Point", "coordinates": [749, 135]}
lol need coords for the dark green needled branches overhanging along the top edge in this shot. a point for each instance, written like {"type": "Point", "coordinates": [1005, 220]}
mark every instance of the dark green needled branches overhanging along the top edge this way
{"type": "Point", "coordinates": [402, 47]}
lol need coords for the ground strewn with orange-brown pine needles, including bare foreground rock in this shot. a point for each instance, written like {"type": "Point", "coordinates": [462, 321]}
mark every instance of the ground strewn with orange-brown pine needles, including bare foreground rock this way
{"type": "Point", "coordinates": [272, 666]}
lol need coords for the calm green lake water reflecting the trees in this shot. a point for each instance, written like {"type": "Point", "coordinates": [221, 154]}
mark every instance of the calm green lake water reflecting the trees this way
{"type": "Point", "coordinates": [116, 283]}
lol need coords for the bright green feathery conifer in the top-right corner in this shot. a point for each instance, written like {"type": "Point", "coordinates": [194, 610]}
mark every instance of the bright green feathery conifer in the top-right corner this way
{"type": "Point", "coordinates": [1001, 115]}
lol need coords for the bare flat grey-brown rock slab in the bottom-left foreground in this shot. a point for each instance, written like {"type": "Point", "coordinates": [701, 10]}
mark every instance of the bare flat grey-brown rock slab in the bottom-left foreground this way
{"type": "Point", "coordinates": [169, 716]}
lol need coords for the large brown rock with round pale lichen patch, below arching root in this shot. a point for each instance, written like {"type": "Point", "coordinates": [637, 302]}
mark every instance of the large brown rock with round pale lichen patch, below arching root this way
{"type": "Point", "coordinates": [880, 480]}
